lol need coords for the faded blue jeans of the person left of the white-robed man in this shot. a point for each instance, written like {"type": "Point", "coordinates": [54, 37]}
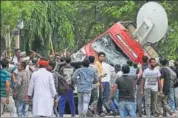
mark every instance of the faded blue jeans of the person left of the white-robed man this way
{"type": "Point", "coordinates": [22, 108]}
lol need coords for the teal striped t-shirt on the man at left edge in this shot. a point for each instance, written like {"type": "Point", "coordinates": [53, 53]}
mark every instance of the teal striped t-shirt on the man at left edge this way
{"type": "Point", "coordinates": [5, 75]}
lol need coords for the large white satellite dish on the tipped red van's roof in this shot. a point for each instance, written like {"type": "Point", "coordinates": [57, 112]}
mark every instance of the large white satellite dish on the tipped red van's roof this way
{"type": "Point", "coordinates": [152, 23]}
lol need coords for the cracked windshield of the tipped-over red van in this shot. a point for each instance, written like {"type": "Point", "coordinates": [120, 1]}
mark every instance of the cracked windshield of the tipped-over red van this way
{"type": "Point", "coordinates": [114, 55]}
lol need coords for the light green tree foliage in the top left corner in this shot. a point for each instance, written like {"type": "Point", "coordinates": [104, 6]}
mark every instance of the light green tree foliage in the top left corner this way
{"type": "Point", "coordinates": [12, 11]}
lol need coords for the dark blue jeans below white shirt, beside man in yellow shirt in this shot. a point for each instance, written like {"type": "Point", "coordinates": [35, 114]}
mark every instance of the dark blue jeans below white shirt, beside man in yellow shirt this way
{"type": "Point", "coordinates": [106, 94]}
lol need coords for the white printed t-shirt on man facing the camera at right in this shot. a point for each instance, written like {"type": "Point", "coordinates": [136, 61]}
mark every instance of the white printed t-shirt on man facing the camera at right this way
{"type": "Point", "coordinates": [151, 78]}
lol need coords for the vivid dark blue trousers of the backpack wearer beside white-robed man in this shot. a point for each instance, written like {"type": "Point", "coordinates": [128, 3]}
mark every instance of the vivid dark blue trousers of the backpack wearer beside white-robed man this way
{"type": "Point", "coordinates": [67, 96]}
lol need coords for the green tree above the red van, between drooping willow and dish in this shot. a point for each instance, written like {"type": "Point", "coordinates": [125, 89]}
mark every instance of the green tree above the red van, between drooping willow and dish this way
{"type": "Point", "coordinates": [94, 17]}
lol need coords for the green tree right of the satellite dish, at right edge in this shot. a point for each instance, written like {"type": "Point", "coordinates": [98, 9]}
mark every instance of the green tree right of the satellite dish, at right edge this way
{"type": "Point", "coordinates": [169, 46]}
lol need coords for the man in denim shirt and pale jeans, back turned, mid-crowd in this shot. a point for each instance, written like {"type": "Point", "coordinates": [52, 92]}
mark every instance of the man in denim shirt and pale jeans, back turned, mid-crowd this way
{"type": "Point", "coordinates": [84, 78]}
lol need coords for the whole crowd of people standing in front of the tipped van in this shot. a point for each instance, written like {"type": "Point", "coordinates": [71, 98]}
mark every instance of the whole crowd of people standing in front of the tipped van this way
{"type": "Point", "coordinates": [46, 85]}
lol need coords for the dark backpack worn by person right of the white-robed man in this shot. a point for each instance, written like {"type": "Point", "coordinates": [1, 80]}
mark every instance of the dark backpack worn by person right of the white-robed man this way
{"type": "Point", "coordinates": [62, 85]}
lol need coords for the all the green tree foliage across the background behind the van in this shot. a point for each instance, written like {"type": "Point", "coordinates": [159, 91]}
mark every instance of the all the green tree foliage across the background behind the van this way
{"type": "Point", "coordinates": [70, 24]}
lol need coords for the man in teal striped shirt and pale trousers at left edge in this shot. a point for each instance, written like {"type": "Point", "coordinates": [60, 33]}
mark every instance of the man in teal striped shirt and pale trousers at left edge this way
{"type": "Point", "coordinates": [6, 98]}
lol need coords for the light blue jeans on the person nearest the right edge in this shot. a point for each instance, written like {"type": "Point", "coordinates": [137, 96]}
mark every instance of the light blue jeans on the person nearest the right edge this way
{"type": "Point", "coordinates": [171, 99]}
